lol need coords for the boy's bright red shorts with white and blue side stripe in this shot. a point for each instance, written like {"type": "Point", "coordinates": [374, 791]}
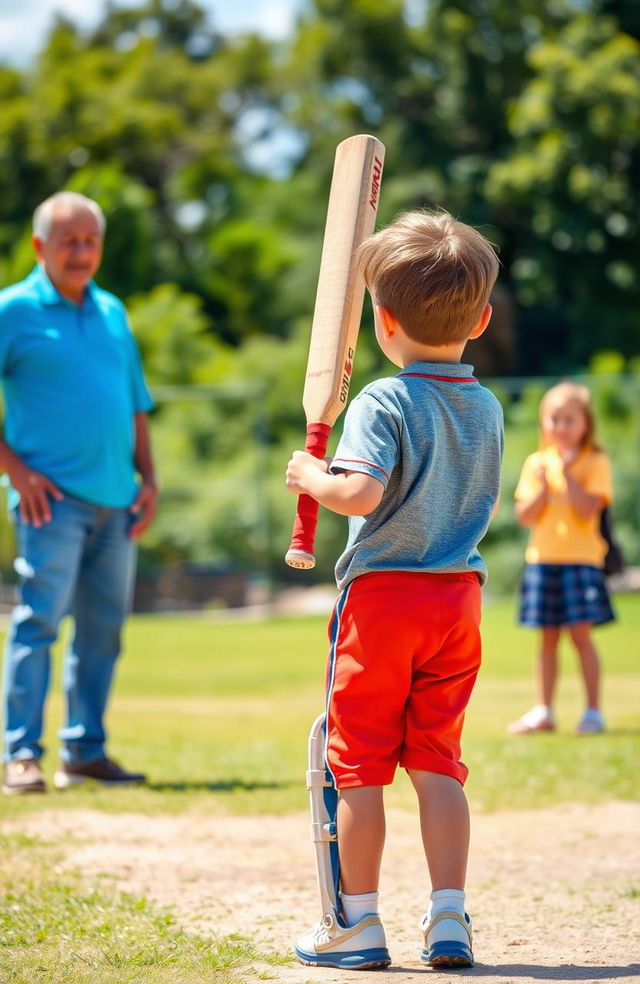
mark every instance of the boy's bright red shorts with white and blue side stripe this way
{"type": "Point", "coordinates": [405, 653]}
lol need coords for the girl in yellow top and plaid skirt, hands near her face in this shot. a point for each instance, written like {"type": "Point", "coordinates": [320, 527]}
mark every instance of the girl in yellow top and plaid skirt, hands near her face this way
{"type": "Point", "coordinates": [562, 490]}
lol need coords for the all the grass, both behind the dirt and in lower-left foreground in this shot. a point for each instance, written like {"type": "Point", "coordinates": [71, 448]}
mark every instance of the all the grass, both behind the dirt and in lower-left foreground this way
{"type": "Point", "coordinates": [217, 712]}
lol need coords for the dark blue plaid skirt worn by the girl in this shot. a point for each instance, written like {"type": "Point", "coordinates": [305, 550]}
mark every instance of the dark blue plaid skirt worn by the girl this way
{"type": "Point", "coordinates": [563, 594]}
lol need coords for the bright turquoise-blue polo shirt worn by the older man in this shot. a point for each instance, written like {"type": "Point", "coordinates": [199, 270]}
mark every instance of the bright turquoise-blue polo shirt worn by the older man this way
{"type": "Point", "coordinates": [72, 381]}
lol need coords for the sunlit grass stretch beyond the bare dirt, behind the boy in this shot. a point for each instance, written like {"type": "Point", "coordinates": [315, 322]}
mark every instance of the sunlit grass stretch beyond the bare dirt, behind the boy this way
{"type": "Point", "coordinates": [217, 713]}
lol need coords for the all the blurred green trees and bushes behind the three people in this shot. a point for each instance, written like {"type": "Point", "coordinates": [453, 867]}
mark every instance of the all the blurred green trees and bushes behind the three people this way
{"type": "Point", "coordinates": [212, 158]}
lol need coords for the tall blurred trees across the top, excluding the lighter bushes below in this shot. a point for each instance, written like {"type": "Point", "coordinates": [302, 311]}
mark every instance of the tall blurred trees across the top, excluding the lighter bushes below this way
{"type": "Point", "coordinates": [212, 155]}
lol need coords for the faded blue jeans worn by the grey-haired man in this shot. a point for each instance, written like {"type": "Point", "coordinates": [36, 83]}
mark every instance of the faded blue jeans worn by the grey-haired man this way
{"type": "Point", "coordinates": [81, 563]}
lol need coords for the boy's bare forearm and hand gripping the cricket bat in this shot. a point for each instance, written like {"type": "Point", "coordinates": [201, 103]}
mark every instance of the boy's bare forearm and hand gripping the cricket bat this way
{"type": "Point", "coordinates": [348, 493]}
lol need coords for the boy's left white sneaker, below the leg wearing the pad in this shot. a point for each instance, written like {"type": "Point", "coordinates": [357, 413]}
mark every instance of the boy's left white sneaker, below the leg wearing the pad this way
{"type": "Point", "coordinates": [356, 947]}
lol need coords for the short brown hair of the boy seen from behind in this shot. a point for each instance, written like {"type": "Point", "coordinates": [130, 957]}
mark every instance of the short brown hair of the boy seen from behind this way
{"type": "Point", "coordinates": [433, 273]}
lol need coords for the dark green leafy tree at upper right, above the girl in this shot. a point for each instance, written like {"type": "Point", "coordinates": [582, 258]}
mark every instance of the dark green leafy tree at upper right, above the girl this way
{"type": "Point", "coordinates": [569, 188]}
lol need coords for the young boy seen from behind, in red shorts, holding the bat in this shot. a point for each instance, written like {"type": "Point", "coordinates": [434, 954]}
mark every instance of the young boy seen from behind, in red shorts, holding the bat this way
{"type": "Point", "coordinates": [417, 472]}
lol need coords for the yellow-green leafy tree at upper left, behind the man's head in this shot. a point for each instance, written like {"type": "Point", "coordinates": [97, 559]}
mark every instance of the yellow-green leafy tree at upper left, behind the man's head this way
{"type": "Point", "coordinates": [136, 116]}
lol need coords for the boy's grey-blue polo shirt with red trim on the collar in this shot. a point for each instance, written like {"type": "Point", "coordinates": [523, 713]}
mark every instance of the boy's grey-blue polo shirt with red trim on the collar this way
{"type": "Point", "coordinates": [433, 436]}
